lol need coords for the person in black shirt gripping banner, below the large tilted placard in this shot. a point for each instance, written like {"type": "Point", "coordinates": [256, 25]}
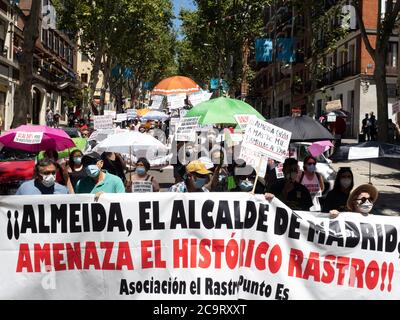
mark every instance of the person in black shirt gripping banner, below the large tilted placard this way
{"type": "Point", "coordinates": [289, 191]}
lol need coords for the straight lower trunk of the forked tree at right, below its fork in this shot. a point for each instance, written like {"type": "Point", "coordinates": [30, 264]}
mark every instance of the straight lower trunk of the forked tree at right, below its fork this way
{"type": "Point", "coordinates": [381, 96]}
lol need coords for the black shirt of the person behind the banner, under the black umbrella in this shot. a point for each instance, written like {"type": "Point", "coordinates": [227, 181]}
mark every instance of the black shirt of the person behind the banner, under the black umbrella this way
{"type": "Point", "coordinates": [297, 199]}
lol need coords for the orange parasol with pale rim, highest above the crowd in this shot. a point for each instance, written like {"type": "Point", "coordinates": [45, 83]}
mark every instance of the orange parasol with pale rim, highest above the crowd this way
{"type": "Point", "coordinates": [176, 85]}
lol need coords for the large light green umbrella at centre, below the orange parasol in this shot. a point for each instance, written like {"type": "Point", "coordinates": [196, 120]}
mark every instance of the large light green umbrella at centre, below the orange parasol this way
{"type": "Point", "coordinates": [222, 111]}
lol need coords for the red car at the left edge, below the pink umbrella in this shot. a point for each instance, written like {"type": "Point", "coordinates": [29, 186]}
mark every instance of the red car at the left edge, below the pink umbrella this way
{"type": "Point", "coordinates": [16, 167]}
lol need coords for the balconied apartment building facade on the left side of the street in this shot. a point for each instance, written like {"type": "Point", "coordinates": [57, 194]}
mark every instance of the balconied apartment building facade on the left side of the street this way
{"type": "Point", "coordinates": [55, 62]}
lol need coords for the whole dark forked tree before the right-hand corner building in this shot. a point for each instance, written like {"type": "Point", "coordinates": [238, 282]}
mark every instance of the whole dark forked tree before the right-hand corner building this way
{"type": "Point", "coordinates": [377, 47]}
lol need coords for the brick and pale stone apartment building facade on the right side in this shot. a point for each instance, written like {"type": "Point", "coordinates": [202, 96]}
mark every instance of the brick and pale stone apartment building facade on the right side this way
{"type": "Point", "coordinates": [349, 69]}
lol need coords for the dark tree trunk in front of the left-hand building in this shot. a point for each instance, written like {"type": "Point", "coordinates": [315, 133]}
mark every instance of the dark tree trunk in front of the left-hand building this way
{"type": "Point", "coordinates": [23, 93]}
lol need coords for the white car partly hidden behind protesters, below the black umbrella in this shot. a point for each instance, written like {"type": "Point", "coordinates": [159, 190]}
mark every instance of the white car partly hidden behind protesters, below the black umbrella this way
{"type": "Point", "coordinates": [299, 150]}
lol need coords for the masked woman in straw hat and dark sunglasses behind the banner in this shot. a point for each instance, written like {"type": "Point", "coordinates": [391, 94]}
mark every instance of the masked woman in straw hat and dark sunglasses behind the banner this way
{"type": "Point", "coordinates": [361, 200]}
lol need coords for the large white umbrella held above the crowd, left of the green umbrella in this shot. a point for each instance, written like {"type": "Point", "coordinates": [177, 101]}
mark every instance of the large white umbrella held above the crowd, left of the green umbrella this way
{"type": "Point", "coordinates": [130, 142]}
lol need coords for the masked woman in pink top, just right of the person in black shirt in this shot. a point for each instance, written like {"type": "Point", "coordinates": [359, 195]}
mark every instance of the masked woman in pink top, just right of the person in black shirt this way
{"type": "Point", "coordinates": [312, 181]}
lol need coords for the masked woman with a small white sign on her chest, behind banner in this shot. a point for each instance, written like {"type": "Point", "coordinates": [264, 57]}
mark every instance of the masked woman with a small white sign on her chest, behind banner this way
{"type": "Point", "coordinates": [141, 180]}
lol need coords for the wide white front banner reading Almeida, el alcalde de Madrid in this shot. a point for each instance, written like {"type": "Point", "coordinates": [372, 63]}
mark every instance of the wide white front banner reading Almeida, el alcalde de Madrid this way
{"type": "Point", "coordinates": [191, 246]}
